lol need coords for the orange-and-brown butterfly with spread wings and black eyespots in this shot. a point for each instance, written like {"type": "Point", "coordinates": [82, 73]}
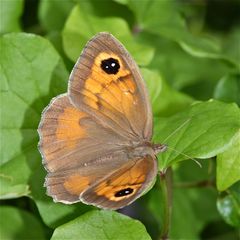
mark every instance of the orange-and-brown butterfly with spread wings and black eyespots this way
{"type": "Point", "coordinates": [95, 140]}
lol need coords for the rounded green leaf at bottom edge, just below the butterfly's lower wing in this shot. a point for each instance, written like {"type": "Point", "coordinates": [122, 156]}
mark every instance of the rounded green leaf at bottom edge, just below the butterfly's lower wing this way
{"type": "Point", "coordinates": [102, 225]}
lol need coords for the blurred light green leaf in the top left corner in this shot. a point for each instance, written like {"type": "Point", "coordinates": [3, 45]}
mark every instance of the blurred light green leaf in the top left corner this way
{"type": "Point", "coordinates": [10, 12]}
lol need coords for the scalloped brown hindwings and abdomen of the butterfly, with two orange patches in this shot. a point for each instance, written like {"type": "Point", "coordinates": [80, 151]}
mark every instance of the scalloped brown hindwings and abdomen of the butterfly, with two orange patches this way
{"type": "Point", "coordinates": [75, 149]}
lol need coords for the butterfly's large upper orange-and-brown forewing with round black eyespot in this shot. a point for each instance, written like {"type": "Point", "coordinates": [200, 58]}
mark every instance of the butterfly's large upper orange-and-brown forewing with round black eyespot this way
{"type": "Point", "coordinates": [106, 83]}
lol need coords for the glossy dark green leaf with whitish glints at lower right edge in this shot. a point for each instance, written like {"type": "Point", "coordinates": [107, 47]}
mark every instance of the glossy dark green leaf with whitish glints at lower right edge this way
{"type": "Point", "coordinates": [229, 206]}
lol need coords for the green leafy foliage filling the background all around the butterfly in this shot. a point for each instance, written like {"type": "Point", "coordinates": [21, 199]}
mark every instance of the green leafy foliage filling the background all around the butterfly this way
{"type": "Point", "coordinates": [189, 54]}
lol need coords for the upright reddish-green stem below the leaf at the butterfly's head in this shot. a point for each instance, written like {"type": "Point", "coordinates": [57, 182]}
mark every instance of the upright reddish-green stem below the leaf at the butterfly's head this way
{"type": "Point", "coordinates": [166, 189]}
